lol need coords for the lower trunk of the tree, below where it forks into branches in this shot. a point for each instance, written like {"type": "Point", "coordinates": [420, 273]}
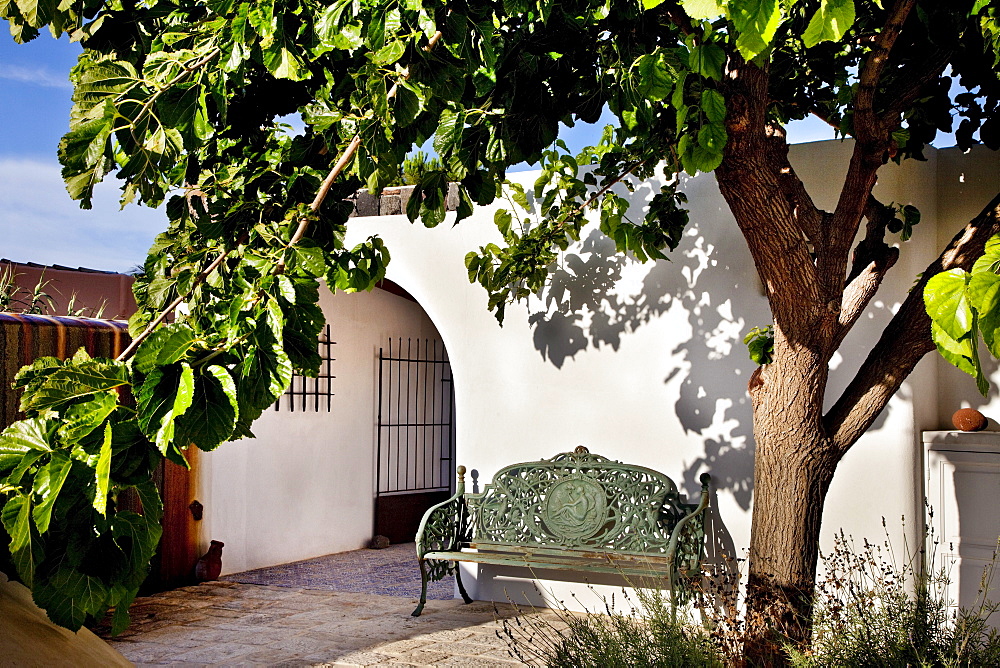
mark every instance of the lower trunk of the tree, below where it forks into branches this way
{"type": "Point", "coordinates": [794, 465]}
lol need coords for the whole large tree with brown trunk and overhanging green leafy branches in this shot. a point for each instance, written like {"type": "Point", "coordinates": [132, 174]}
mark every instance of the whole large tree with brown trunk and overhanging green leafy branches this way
{"type": "Point", "coordinates": [183, 100]}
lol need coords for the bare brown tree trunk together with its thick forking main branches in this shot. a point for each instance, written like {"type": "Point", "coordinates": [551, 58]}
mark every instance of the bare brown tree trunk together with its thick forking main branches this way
{"type": "Point", "coordinates": [816, 296]}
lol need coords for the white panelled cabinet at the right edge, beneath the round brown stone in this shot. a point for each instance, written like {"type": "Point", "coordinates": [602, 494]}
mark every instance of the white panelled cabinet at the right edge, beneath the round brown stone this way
{"type": "Point", "coordinates": [963, 489]}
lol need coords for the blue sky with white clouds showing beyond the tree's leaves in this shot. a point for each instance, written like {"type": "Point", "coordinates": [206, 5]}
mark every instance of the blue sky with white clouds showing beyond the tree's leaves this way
{"type": "Point", "coordinates": [38, 221]}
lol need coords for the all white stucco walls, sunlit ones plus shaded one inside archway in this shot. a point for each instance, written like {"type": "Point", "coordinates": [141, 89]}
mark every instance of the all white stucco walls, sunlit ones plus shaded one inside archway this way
{"type": "Point", "coordinates": [641, 363]}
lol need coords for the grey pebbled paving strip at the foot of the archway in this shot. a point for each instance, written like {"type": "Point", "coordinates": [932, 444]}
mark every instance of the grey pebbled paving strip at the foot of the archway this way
{"type": "Point", "coordinates": [392, 571]}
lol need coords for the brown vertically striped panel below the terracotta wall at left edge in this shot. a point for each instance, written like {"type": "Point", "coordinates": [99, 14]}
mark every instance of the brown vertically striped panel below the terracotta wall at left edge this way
{"type": "Point", "coordinates": [25, 338]}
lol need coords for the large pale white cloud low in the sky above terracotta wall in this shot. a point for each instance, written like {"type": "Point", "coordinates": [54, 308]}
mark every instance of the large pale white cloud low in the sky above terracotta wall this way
{"type": "Point", "coordinates": [40, 223]}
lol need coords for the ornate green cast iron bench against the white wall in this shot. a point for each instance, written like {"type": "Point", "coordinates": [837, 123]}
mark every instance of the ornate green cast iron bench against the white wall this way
{"type": "Point", "coordinates": [577, 511]}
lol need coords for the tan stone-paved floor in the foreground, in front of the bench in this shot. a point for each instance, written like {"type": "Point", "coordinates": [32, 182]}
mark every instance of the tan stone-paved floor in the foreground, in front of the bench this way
{"type": "Point", "coordinates": [234, 624]}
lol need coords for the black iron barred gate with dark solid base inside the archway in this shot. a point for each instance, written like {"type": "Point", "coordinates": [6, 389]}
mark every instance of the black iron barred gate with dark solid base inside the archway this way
{"type": "Point", "coordinates": [415, 447]}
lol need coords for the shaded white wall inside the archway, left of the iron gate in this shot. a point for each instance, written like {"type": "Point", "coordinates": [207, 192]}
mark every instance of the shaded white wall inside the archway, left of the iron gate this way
{"type": "Point", "coordinates": [304, 486]}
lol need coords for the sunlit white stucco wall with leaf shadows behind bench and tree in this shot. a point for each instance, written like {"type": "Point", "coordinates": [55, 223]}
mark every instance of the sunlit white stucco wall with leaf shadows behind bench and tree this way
{"type": "Point", "coordinates": [645, 363]}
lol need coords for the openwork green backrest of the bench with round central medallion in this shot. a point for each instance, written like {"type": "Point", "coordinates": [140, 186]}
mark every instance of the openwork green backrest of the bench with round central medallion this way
{"type": "Point", "coordinates": [577, 499]}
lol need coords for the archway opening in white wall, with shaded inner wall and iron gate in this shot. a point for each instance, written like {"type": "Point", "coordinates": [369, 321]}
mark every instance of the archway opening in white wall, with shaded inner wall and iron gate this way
{"type": "Point", "coordinates": [308, 484]}
